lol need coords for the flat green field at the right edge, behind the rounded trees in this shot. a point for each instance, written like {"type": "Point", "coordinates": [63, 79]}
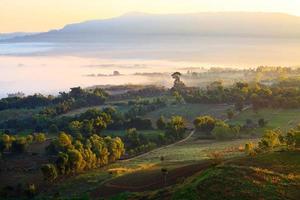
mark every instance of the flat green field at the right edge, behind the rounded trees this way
{"type": "Point", "coordinates": [277, 118]}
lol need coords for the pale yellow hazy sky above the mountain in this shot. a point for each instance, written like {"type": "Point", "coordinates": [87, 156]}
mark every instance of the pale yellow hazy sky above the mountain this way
{"type": "Point", "coordinates": [42, 15]}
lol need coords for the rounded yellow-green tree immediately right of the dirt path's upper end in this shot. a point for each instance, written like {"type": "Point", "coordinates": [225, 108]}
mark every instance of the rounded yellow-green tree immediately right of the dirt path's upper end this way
{"type": "Point", "coordinates": [205, 124]}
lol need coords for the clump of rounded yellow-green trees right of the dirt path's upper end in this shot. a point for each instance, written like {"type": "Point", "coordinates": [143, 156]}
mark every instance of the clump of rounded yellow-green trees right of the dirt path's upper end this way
{"type": "Point", "coordinates": [218, 129]}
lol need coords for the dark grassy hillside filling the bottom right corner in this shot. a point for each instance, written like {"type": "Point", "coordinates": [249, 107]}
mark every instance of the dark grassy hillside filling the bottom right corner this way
{"type": "Point", "coordinates": [274, 175]}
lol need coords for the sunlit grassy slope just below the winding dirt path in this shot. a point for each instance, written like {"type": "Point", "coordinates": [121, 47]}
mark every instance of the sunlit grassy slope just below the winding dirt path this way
{"type": "Point", "coordinates": [144, 168]}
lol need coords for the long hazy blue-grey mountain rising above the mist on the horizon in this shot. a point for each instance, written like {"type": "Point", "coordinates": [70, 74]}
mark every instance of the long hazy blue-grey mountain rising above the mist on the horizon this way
{"type": "Point", "coordinates": [139, 25]}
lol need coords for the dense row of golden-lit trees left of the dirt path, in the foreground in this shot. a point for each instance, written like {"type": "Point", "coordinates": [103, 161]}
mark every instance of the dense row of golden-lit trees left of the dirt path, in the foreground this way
{"type": "Point", "coordinates": [73, 155]}
